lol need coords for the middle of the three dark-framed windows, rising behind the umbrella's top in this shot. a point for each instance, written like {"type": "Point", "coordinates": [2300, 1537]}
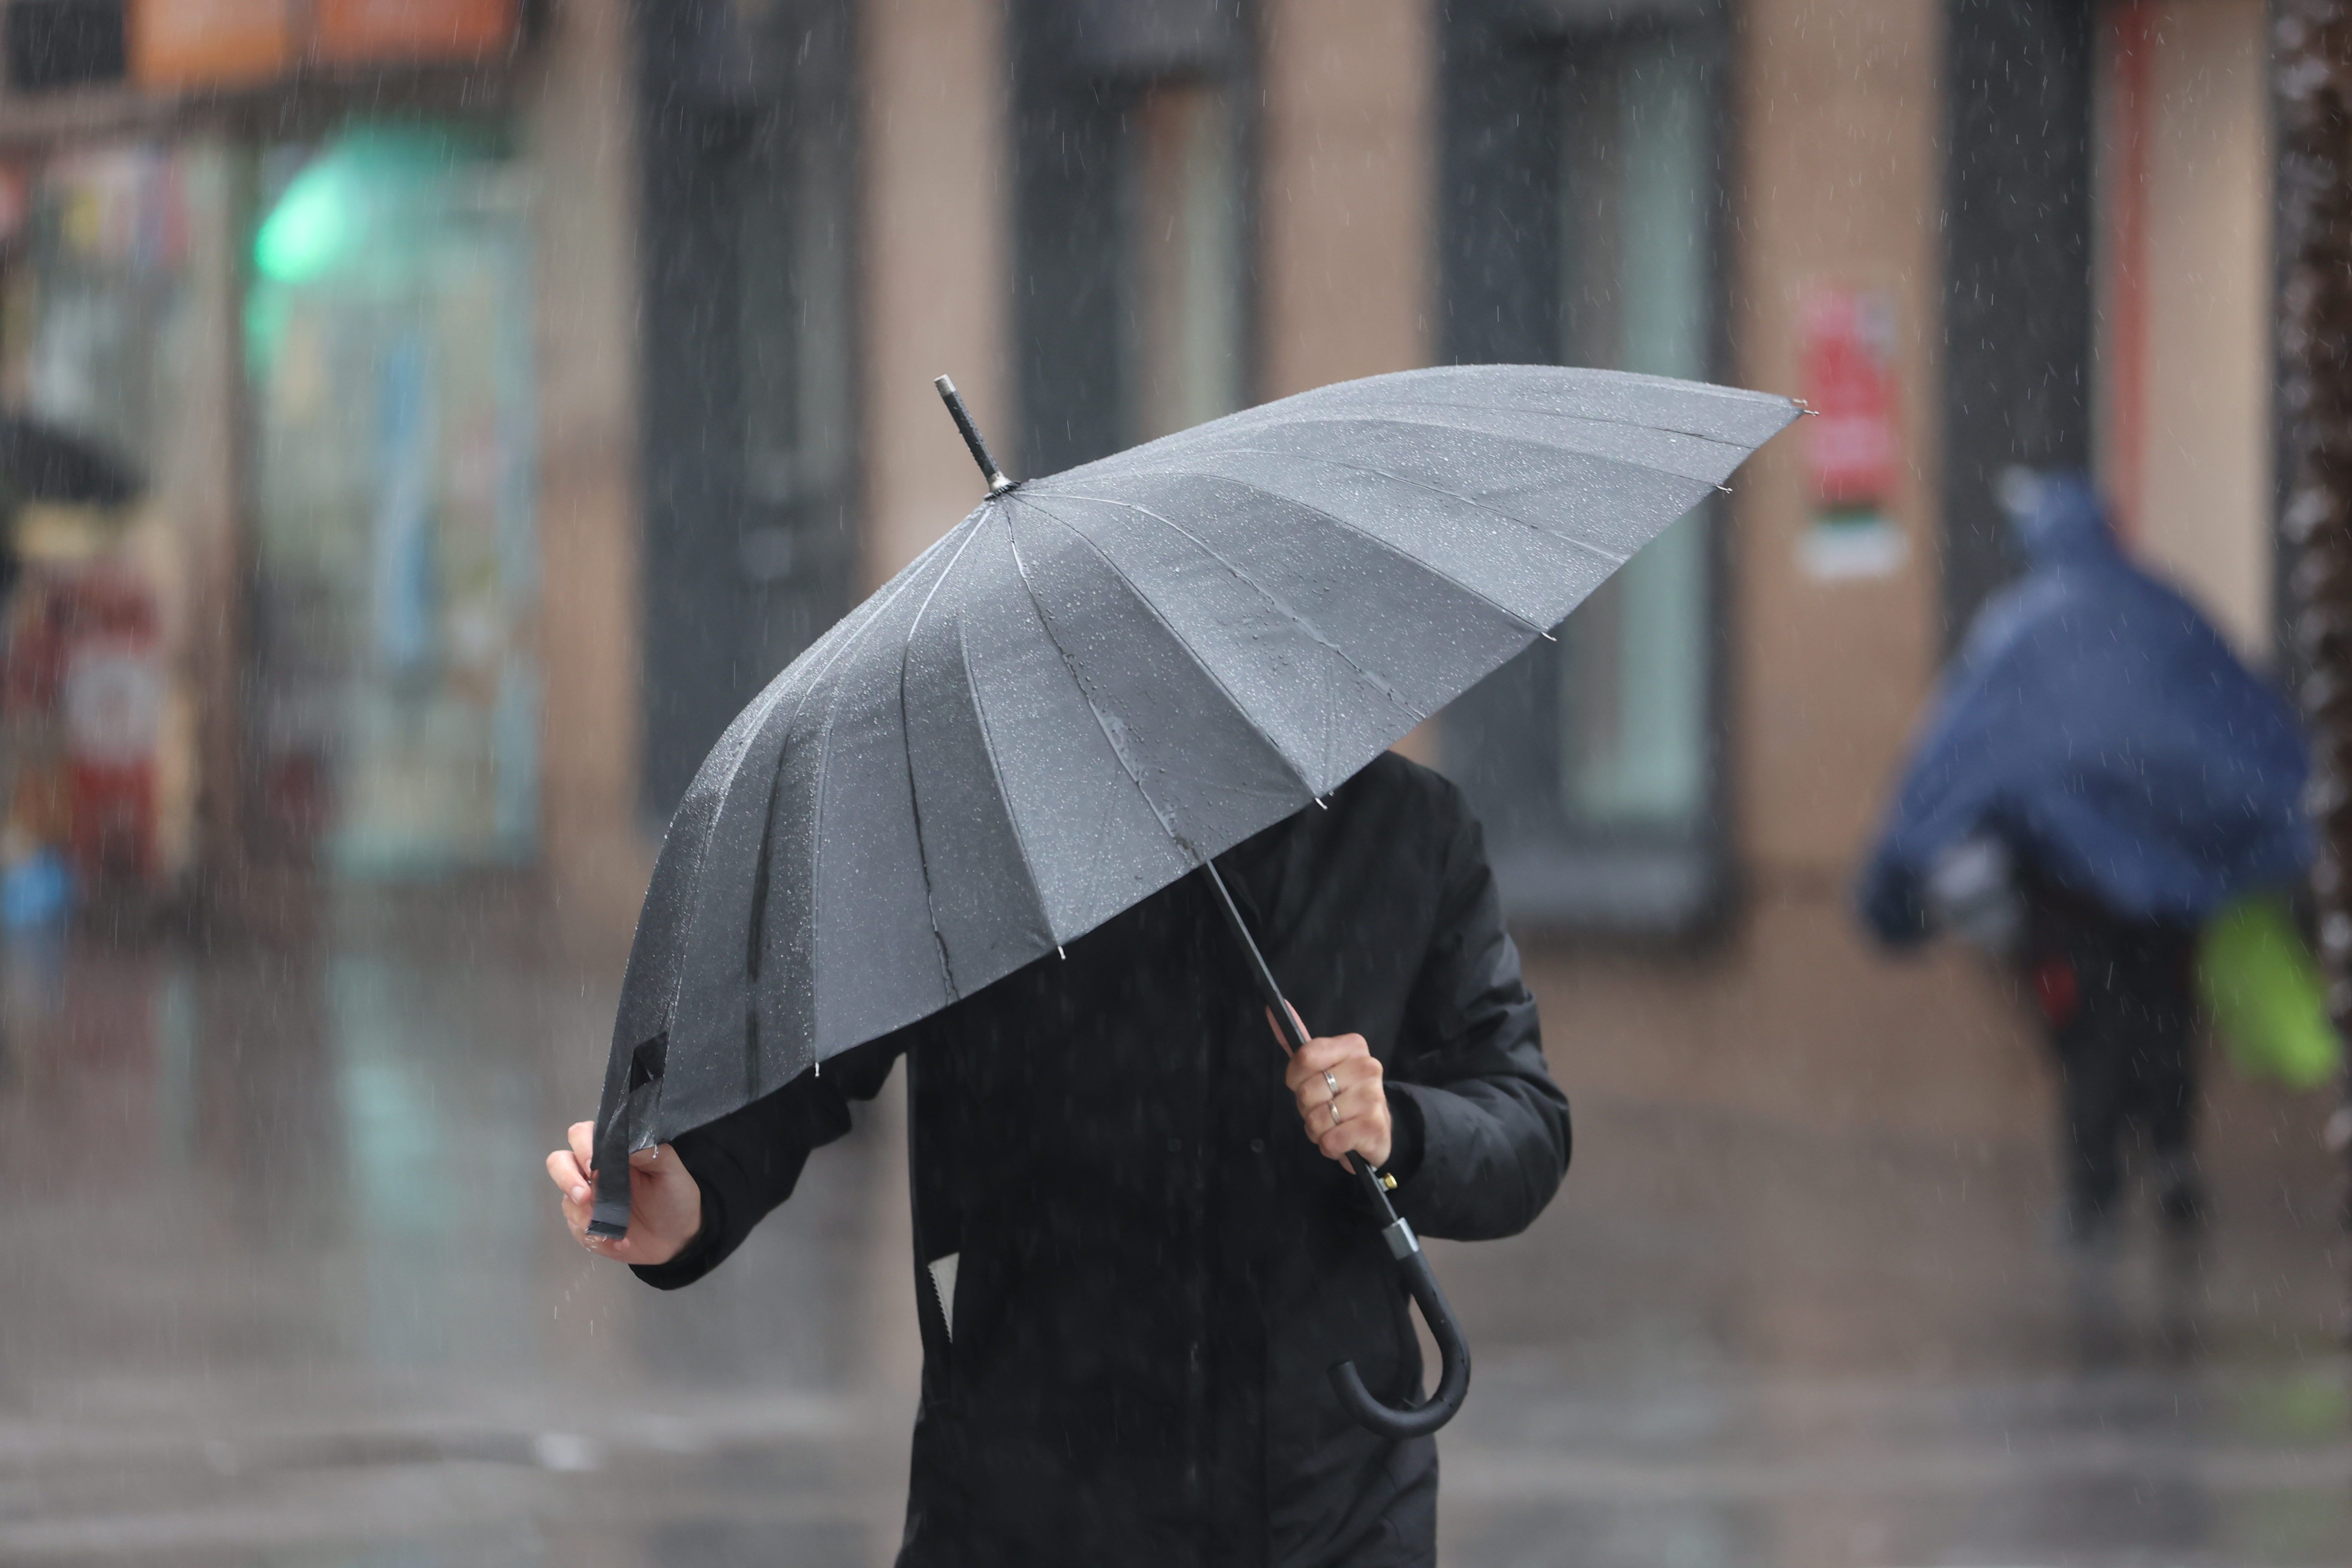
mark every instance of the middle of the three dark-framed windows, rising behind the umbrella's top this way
{"type": "Point", "coordinates": [1132, 161]}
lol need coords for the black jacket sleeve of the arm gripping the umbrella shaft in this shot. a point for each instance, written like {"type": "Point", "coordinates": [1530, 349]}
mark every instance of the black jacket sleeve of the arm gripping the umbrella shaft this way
{"type": "Point", "coordinates": [1481, 1127]}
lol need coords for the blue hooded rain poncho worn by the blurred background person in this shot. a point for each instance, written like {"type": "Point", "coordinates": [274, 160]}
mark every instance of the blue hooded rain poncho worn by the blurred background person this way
{"type": "Point", "coordinates": [2099, 728]}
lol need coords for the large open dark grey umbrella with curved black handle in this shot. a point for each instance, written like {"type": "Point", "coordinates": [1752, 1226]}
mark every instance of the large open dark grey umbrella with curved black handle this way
{"type": "Point", "coordinates": [1104, 678]}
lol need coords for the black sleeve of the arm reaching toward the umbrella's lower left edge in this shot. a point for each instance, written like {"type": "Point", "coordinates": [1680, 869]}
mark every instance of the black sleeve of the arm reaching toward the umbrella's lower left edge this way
{"type": "Point", "coordinates": [749, 1162]}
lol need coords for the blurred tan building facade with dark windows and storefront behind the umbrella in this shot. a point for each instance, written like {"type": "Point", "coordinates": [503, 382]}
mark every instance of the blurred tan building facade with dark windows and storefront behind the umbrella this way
{"type": "Point", "coordinates": [526, 389]}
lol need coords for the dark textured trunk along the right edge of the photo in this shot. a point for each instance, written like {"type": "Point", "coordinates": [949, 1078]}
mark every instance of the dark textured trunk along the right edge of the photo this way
{"type": "Point", "coordinates": [2316, 394]}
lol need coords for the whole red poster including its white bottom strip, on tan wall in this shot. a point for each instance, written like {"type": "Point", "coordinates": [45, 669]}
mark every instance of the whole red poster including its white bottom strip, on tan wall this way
{"type": "Point", "coordinates": [1847, 368]}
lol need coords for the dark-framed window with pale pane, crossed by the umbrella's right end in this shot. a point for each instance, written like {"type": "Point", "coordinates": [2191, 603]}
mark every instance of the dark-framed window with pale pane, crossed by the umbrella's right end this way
{"type": "Point", "coordinates": [1586, 236]}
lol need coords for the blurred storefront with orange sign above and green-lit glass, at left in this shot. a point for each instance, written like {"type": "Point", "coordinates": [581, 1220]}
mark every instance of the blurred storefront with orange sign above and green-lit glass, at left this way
{"type": "Point", "coordinates": [283, 262]}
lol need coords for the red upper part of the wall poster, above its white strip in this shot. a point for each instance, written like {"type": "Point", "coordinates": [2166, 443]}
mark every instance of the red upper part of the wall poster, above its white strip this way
{"type": "Point", "coordinates": [1850, 382]}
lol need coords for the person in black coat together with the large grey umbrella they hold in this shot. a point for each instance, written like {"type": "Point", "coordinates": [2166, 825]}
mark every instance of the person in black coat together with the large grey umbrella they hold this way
{"type": "Point", "coordinates": [1078, 819]}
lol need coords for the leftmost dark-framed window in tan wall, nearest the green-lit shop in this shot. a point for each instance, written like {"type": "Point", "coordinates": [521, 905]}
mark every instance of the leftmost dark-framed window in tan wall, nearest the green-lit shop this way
{"type": "Point", "coordinates": [749, 391]}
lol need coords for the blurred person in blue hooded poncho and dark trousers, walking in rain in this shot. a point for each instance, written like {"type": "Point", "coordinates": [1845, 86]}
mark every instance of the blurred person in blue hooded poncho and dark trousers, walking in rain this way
{"type": "Point", "coordinates": [2097, 779]}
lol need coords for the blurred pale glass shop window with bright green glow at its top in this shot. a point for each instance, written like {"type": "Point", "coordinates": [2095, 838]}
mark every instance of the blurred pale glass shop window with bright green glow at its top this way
{"type": "Point", "coordinates": [389, 354]}
